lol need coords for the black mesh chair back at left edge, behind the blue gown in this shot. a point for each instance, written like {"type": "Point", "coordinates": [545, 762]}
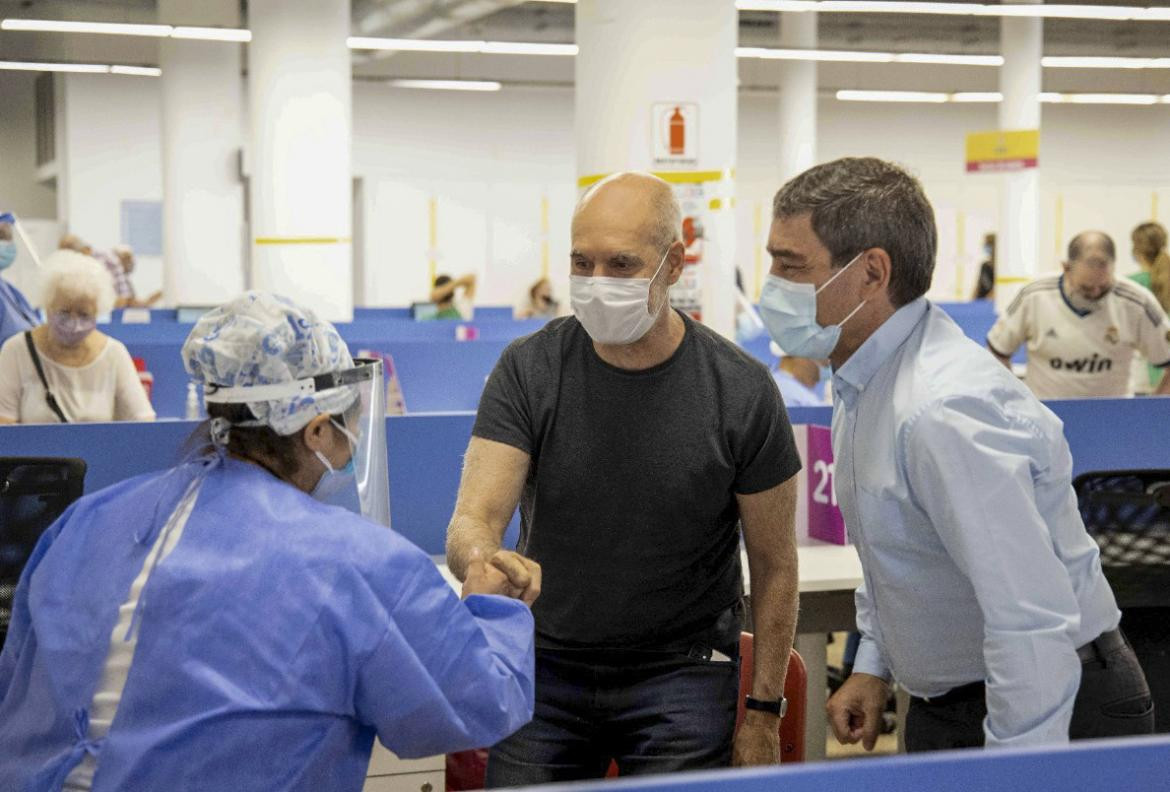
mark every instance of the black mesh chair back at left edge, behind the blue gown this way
{"type": "Point", "coordinates": [35, 492]}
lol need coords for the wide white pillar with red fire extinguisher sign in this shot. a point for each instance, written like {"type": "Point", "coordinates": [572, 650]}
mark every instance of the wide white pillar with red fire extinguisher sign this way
{"type": "Point", "coordinates": [637, 58]}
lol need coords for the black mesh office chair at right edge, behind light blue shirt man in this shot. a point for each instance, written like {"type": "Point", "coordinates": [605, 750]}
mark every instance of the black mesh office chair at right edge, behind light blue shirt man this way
{"type": "Point", "coordinates": [1128, 514]}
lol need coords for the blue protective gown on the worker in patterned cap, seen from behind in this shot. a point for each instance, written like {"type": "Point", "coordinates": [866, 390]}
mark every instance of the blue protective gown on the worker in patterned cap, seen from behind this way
{"type": "Point", "coordinates": [274, 642]}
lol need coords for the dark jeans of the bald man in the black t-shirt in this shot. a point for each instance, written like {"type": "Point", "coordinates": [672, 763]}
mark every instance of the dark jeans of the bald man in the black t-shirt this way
{"type": "Point", "coordinates": [651, 712]}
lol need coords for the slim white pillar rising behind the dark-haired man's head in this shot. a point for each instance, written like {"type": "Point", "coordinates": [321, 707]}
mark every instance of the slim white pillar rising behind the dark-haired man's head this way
{"type": "Point", "coordinates": [799, 97]}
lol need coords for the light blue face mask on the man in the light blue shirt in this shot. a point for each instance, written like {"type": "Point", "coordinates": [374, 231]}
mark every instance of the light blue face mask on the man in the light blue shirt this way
{"type": "Point", "coordinates": [789, 312]}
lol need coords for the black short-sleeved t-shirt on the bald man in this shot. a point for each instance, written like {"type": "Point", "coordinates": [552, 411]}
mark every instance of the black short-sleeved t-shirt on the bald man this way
{"type": "Point", "coordinates": [630, 502]}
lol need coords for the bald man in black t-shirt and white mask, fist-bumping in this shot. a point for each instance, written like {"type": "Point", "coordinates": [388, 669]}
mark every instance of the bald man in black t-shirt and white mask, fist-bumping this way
{"type": "Point", "coordinates": [636, 443]}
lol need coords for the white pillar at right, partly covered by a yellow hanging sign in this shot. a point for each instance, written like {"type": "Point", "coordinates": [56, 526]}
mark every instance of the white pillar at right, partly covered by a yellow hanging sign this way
{"type": "Point", "coordinates": [1018, 239]}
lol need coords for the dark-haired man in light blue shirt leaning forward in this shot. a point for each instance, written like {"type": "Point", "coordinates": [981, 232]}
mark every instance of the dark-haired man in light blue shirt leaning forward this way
{"type": "Point", "coordinates": [982, 594]}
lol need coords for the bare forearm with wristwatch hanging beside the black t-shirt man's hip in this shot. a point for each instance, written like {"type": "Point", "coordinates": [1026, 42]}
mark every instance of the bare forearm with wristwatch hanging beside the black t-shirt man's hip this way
{"type": "Point", "coordinates": [775, 601]}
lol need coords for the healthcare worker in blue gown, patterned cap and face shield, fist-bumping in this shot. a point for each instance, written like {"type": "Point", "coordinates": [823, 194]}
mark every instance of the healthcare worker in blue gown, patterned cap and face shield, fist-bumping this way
{"type": "Point", "coordinates": [217, 626]}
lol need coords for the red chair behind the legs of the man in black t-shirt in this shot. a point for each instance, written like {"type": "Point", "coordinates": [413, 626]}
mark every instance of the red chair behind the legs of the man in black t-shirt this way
{"type": "Point", "coordinates": [466, 769]}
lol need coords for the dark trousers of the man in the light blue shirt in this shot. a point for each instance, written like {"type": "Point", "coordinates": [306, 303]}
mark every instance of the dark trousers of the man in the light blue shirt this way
{"type": "Point", "coordinates": [1113, 701]}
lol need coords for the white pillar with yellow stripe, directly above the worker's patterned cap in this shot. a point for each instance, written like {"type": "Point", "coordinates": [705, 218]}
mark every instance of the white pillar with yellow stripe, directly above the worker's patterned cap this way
{"type": "Point", "coordinates": [300, 99]}
